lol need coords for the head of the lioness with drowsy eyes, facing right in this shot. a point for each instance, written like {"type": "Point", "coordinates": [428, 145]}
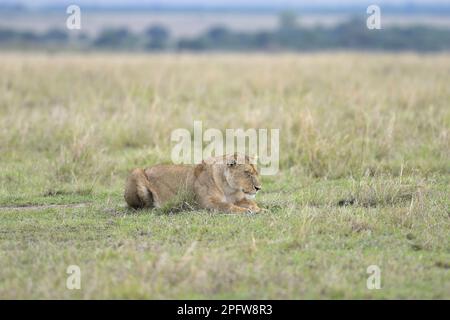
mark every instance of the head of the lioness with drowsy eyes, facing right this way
{"type": "Point", "coordinates": [243, 175]}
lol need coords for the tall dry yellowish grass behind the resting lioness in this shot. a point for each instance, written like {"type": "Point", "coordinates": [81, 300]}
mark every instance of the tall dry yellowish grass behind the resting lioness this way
{"type": "Point", "coordinates": [73, 119]}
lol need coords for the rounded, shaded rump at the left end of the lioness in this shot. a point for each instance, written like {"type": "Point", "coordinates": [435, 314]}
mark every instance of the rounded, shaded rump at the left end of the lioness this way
{"type": "Point", "coordinates": [138, 193]}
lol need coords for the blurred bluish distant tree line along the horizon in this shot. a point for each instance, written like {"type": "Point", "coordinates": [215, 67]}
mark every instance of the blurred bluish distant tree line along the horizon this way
{"type": "Point", "coordinates": [352, 34]}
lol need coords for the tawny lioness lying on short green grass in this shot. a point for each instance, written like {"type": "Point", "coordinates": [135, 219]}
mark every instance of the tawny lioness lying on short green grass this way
{"type": "Point", "coordinates": [227, 184]}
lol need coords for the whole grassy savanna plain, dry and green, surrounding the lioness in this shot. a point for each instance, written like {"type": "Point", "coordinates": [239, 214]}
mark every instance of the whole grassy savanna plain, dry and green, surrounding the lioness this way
{"type": "Point", "coordinates": [364, 176]}
